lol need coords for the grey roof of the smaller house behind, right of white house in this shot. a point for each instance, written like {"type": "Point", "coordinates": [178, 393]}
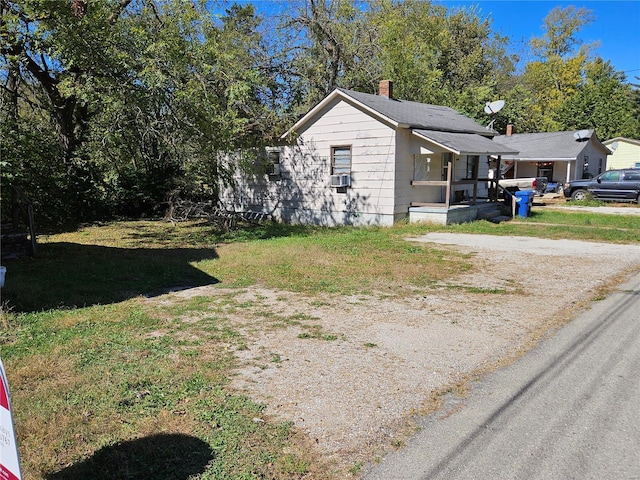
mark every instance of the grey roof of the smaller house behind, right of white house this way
{"type": "Point", "coordinates": [548, 146]}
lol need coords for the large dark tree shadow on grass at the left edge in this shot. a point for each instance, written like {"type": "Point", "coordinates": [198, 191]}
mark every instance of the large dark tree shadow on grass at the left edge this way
{"type": "Point", "coordinates": [70, 275]}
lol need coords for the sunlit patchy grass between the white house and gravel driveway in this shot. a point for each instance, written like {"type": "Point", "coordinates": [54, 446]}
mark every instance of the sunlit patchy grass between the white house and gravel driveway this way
{"type": "Point", "coordinates": [343, 260]}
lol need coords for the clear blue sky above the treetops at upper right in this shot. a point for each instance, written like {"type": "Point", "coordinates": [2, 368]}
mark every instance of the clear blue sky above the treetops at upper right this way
{"type": "Point", "coordinates": [616, 27]}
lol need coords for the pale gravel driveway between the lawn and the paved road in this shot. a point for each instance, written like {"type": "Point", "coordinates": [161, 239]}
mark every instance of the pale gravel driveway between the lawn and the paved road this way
{"type": "Point", "coordinates": [354, 389]}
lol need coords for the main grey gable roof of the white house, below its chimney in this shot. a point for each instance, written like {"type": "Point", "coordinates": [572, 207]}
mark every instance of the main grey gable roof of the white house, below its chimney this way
{"type": "Point", "coordinates": [400, 113]}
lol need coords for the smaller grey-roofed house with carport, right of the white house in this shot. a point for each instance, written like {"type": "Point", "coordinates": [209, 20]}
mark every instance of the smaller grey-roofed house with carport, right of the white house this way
{"type": "Point", "coordinates": [559, 156]}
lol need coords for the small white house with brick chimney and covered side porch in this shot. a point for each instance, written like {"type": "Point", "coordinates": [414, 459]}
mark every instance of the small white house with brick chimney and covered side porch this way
{"type": "Point", "coordinates": [362, 159]}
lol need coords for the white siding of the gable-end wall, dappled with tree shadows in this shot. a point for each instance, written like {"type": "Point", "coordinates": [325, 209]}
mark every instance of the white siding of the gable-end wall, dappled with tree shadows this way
{"type": "Point", "coordinates": [303, 194]}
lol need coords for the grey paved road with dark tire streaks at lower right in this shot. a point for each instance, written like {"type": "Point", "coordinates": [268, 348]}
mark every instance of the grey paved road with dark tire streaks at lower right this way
{"type": "Point", "coordinates": [570, 409]}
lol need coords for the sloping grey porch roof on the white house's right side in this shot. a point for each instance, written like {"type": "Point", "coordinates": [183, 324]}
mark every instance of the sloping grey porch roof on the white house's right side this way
{"type": "Point", "coordinates": [464, 143]}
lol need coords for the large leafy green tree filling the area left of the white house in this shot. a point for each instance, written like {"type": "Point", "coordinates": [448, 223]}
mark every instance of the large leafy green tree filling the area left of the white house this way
{"type": "Point", "coordinates": [144, 95]}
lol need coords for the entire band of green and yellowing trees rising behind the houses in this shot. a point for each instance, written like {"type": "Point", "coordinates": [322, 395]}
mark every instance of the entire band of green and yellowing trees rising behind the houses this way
{"type": "Point", "coordinates": [110, 105]}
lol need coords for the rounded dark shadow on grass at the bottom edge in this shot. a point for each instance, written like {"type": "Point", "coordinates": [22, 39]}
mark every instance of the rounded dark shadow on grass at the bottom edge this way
{"type": "Point", "coordinates": [158, 457]}
